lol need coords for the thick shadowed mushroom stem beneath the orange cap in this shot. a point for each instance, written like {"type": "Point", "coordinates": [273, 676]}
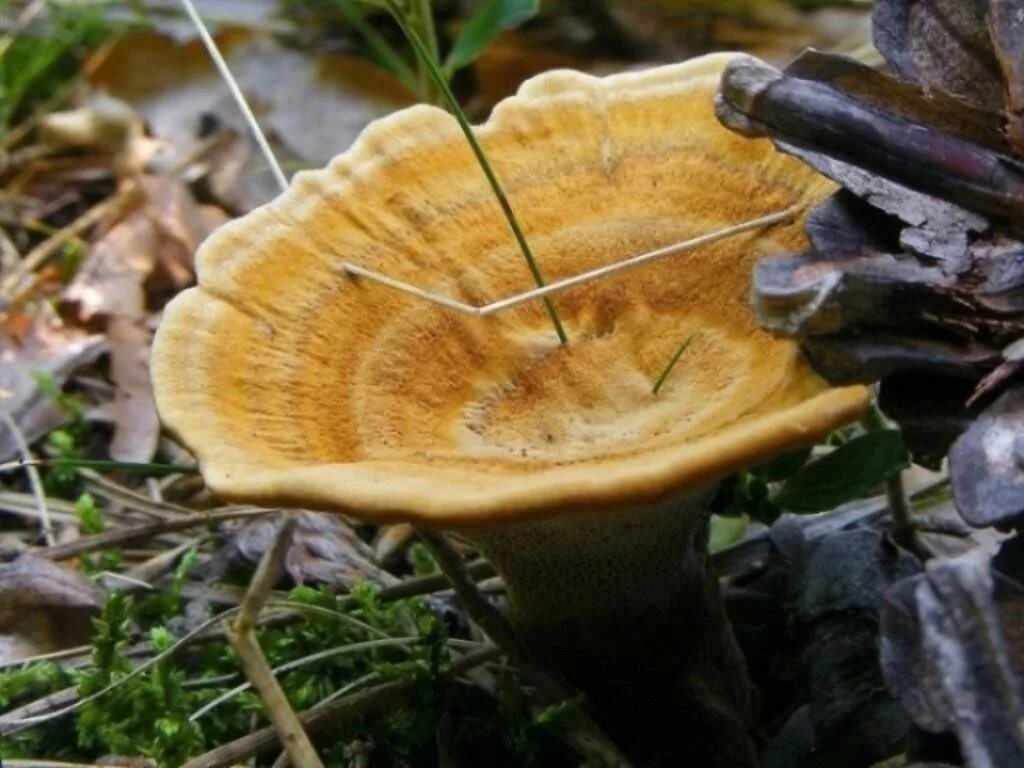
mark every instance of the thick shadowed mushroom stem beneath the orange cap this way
{"type": "Point", "coordinates": [624, 605]}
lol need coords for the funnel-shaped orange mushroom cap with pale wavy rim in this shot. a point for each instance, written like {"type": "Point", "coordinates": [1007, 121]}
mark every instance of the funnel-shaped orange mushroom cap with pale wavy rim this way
{"type": "Point", "coordinates": [296, 385]}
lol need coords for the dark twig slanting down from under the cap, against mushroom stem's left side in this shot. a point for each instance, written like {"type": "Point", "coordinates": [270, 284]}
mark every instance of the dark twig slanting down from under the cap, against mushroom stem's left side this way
{"type": "Point", "coordinates": [582, 734]}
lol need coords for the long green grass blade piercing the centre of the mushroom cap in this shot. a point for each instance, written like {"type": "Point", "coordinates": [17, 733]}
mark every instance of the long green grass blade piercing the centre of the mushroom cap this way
{"type": "Point", "coordinates": [424, 55]}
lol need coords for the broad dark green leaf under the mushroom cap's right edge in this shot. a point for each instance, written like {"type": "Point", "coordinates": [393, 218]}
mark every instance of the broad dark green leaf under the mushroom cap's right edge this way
{"type": "Point", "coordinates": [848, 473]}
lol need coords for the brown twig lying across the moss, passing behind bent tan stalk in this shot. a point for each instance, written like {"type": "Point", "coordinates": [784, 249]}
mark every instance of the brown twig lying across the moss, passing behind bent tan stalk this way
{"type": "Point", "coordinates": [334, 714]}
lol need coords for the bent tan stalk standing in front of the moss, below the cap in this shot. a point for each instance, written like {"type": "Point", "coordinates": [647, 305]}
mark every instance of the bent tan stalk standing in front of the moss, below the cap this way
{"type": "Point", "coordinates": [243, 638]}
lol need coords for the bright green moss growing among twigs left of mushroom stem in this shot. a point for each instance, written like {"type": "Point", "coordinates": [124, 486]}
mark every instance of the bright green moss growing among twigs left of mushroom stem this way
{"type": "Point", "coordinates": [184, 704]}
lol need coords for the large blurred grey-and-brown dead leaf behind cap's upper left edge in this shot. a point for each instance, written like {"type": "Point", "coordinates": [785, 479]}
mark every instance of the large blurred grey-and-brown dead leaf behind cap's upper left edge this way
{"type": "Point", "coordinates": [313, 107]}
